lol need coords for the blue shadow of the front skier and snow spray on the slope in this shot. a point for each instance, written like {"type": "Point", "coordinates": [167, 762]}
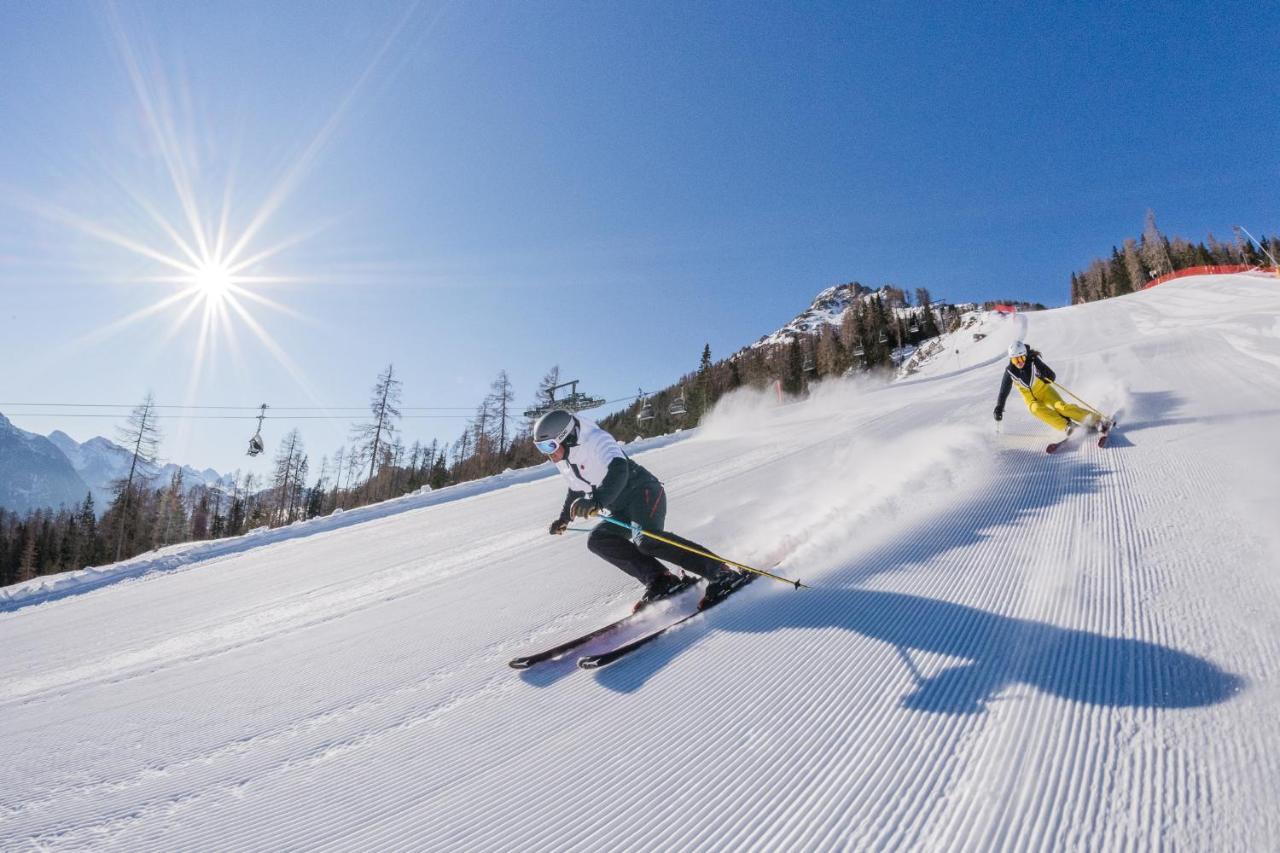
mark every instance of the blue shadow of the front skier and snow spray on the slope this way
{"type": "Point", "coordinates": [1000, 651]}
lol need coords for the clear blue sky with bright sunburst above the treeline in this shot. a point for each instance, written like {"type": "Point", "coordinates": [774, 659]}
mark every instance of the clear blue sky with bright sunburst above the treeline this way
{"type": "Point", "coordinates": [472, 188]}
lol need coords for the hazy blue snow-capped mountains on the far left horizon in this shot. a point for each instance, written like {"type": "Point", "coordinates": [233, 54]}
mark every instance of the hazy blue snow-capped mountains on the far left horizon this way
{"type": "Point", "coordinates": [38, 472]}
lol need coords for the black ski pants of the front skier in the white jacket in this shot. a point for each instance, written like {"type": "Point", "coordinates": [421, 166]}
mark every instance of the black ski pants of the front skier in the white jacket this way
{"type": "Point", "coordinates": [647, 507]}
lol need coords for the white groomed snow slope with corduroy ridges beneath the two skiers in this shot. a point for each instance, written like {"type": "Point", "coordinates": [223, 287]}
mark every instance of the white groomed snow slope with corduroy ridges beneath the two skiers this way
{"type": "Point", "coordinates": [1002, 649]}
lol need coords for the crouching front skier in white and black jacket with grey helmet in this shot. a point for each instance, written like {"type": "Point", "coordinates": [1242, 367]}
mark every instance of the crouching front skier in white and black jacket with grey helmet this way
{"type": "Point", "coordinates": [602, 478]}
